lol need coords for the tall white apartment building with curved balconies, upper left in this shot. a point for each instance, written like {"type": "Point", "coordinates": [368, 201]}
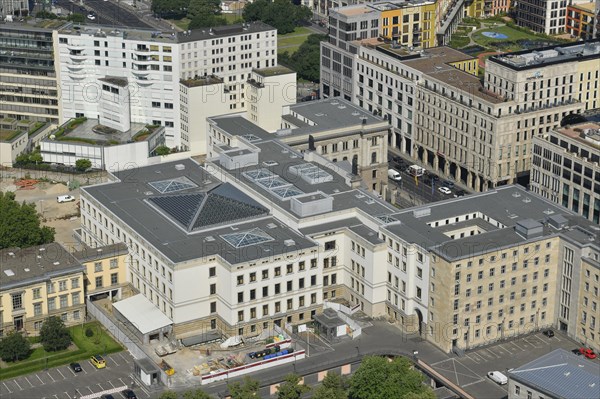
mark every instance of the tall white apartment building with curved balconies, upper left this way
{"type": "Point", "coordinates": [152, 63]}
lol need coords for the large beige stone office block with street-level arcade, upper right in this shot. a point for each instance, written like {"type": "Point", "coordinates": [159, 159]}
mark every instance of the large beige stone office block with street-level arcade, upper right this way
{"type": "Point", "coordinates": [443, 116]}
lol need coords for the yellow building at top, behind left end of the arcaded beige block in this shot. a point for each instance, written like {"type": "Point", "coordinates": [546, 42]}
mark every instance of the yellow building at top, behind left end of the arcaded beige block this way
{"type": "Point", "coordinates": [410, 24]}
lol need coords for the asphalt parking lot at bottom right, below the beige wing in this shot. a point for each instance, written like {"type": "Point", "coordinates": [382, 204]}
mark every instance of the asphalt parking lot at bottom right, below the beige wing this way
{"type": "Point", "coordinates": [470, 371]}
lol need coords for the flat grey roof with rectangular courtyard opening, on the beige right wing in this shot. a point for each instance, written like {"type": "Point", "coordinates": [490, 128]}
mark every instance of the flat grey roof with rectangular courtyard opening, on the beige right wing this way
{"type": "Point", "coordinates": [496, 212]}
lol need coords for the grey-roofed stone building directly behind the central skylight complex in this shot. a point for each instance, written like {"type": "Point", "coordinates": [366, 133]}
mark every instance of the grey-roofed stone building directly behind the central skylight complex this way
{"type": "Point", "coordinates": [340, 132]}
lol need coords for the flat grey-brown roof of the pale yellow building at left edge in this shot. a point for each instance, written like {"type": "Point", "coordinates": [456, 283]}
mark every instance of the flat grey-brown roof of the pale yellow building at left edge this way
{"type": "Point", "coordinates": [21, 267]}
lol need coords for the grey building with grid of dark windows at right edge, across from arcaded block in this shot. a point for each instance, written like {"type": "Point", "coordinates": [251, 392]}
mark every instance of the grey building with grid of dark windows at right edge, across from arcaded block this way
{"type": "Point", "coordinates": [565, 168]}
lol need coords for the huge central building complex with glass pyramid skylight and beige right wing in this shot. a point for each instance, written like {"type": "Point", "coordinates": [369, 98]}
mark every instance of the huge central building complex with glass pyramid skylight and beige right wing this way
{"type": "Point", "coordinates": [265, 233]}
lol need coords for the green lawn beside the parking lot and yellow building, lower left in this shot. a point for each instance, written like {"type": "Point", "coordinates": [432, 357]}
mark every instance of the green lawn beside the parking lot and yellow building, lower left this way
{"type": "Point", "coordinates": [100, 343]}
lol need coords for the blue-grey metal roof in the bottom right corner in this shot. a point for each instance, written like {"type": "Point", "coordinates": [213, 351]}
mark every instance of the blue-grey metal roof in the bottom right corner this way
{"type": "Point", "coordinates": [561, 374]}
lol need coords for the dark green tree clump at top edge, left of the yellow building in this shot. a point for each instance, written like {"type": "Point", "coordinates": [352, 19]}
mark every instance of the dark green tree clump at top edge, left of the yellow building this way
{"type": "Point", "coordinates": [280, 14]}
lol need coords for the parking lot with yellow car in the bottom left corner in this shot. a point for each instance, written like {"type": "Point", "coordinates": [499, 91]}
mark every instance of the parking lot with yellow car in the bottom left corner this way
{"type": "Point", "coordinates": [63, 383]}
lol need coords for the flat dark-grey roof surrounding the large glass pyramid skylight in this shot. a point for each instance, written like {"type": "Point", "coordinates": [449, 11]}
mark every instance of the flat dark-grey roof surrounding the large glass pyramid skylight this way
{"type": "Point", "coordinates": [129, 200]}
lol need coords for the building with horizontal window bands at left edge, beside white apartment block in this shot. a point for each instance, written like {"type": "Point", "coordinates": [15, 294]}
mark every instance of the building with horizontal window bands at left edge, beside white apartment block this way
{"type": "Point", "coordinates": [29, 78]}
